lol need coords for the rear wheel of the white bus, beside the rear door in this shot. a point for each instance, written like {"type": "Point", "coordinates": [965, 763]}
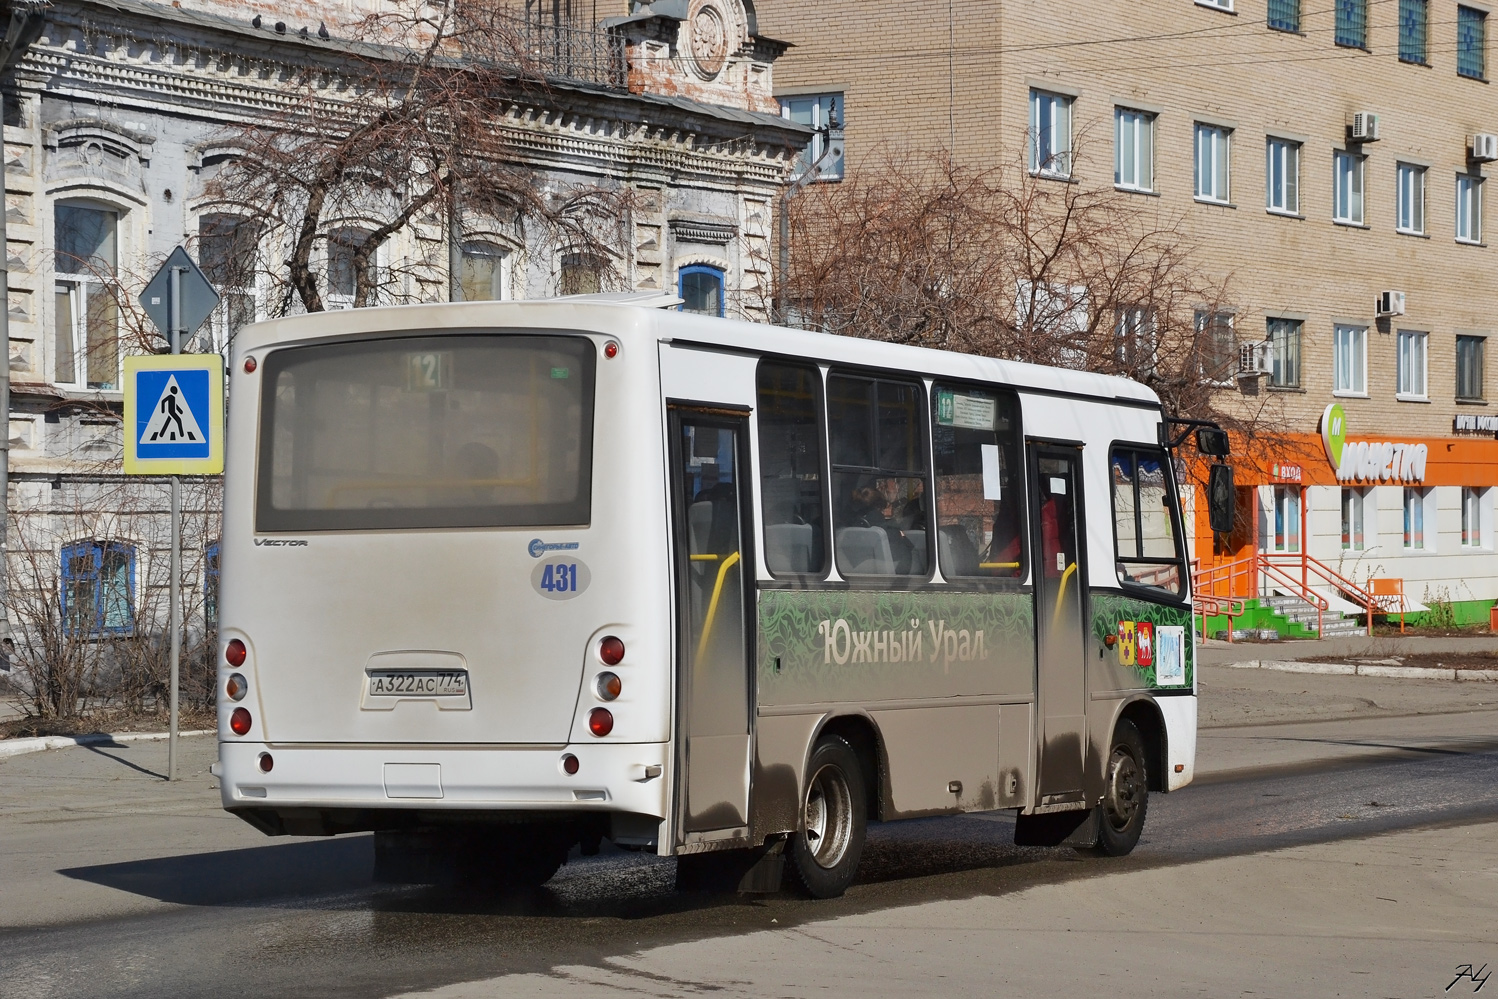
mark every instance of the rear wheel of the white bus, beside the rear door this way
{"type": "Point", "coordinates": [826, 856]}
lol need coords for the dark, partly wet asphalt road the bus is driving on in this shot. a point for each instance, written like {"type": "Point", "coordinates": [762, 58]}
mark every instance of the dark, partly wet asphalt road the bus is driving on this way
{"type": "Point", "coordinates": [107, 890]}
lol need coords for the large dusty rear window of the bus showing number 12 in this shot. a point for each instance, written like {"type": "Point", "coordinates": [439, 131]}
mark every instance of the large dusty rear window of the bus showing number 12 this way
{"type": "Point", "coordinates": [428, 432]}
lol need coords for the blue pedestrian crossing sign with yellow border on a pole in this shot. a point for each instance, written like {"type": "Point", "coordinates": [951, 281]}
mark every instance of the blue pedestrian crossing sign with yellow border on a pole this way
{"type": "Point", "coordinates": [175, 414]}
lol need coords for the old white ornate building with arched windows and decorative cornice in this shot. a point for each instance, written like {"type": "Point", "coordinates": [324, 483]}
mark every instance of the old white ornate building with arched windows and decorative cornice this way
{"type": "Point", "coordinates": [115, 122]}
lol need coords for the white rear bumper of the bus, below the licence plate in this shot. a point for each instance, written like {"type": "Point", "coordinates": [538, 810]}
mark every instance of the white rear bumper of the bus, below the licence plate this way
{"type": "Point", "coordinates": [476, 780]}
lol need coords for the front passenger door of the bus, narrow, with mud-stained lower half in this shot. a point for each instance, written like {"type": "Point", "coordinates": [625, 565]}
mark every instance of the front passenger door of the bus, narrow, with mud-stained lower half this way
{"type": "Point", "coordinates": [1060, 621]}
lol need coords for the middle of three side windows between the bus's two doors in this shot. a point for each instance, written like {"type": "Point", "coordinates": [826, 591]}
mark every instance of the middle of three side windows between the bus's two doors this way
{"type": "Point", "coordinates": [880, 497]}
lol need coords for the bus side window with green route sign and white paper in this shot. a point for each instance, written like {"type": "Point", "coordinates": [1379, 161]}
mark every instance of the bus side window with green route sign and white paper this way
{"type": "Point", "coordinates": [979, 483]}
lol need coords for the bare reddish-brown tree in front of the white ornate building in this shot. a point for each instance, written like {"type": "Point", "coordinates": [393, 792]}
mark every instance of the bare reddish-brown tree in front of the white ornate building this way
{"type": "Point", "coordinates": [411, 133]}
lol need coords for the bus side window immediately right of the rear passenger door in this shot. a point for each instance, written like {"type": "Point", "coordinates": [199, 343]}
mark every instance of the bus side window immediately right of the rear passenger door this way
{"type": "Point", "coordinates": [790, 414]}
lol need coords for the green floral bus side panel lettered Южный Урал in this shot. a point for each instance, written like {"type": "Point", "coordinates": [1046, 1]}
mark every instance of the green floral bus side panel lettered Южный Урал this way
{"type": "Point", "coordinates": [870, 646]}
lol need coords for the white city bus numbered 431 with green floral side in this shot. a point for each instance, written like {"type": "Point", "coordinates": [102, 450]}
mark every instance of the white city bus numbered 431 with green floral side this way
{"type": "Point", "coordinates": [506, 579]}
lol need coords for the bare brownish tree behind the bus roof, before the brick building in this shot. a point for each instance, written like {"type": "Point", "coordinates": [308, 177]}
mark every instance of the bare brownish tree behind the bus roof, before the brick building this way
{"type": "Point", "coordinates": [1007, 263]}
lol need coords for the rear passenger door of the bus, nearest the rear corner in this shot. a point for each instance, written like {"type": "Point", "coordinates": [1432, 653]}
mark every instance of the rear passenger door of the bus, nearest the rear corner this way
{"type": "Point", "coordinates": [714, 570]}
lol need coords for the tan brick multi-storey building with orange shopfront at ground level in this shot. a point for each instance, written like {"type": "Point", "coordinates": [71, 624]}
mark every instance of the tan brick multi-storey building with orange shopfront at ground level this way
{"type": "Point", "coordinates": [1320, 157]}
